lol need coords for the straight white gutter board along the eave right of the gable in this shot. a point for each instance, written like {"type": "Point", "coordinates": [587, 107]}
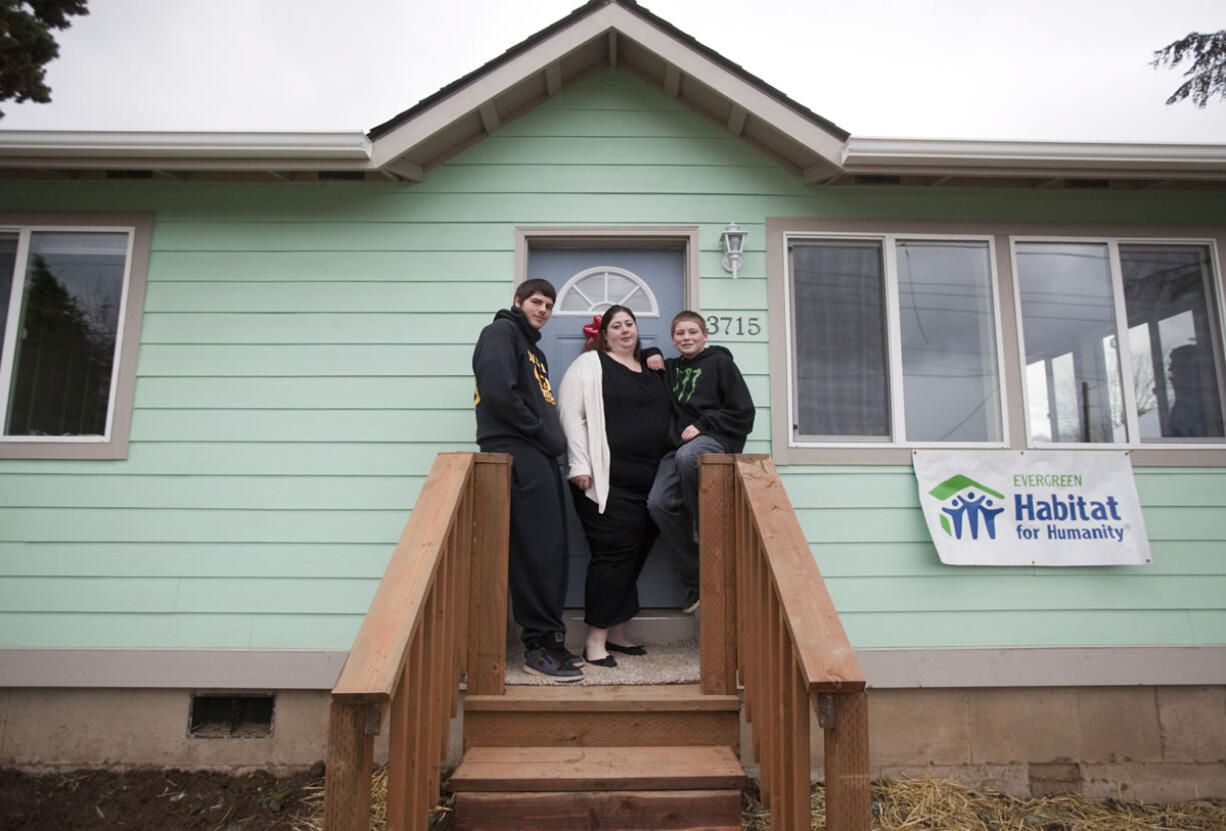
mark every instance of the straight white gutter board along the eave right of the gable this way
{"type": "Point", "coordinates": [1039, 157]}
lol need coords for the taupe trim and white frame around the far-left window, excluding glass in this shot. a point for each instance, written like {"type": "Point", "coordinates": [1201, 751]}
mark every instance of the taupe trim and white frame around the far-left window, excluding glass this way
{"type": "Point", "coordinates": [113, 444]}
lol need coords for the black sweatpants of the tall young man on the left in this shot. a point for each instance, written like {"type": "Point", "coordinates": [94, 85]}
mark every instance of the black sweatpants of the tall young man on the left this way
{"type": "Point", "coordinates": [539, 555]}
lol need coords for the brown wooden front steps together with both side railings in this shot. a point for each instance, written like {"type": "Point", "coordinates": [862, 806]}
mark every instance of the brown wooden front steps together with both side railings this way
{"type": "Point", "coordinates": [623, 758]}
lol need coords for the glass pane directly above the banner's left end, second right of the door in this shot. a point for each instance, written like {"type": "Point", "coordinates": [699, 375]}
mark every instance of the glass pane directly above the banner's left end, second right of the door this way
{"type": "Point", "coordinates": [952, 388]}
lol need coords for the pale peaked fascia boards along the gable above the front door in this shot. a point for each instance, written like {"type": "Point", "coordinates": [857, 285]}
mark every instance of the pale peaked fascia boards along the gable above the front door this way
{"type": "Point", "coordinates": [540, 57]}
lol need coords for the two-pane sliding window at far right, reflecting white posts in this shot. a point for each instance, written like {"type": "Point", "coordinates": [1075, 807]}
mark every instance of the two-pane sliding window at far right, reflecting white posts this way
{"type": "Point", "coordinates": [1079, 302]}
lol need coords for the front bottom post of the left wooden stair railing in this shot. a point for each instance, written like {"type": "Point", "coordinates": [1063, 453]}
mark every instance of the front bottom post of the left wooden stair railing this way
{"type": "Point", "coordinates": [351, 747]}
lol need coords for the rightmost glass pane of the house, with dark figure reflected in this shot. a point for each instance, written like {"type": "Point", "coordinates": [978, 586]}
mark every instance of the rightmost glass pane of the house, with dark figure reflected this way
{"type": "Point", "coordinates": [1173, 332]}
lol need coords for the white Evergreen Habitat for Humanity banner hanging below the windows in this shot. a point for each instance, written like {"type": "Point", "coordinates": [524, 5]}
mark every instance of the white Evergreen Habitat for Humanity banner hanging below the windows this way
{"type": "Point", "coordinates": [1033, 508]}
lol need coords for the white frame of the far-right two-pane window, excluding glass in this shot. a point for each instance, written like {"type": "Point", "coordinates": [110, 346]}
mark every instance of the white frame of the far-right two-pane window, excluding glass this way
{"type": "Point", "coordinates": [1126, 360]}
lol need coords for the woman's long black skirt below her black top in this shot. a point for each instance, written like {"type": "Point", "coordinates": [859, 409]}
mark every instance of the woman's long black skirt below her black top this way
{"type": "Point", "coordinates": [620, 541]}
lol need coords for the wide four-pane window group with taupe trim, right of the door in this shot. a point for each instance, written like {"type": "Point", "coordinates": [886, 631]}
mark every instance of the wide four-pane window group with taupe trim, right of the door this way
{"type": "Point", "coordinates": [995, 335]}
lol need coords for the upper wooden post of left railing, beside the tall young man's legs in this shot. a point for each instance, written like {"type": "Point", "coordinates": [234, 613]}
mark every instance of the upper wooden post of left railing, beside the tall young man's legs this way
{"type": "Point", "coordinates": [487, 574]}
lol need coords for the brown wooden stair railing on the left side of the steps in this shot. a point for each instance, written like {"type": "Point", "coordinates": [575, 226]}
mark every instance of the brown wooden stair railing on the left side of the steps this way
{"type": "Point", "coordinates": [440, 615]}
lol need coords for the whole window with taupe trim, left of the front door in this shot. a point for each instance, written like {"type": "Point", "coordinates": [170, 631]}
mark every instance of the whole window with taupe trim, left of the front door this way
{"type": "Point", "coordinates": [70, 298]}
